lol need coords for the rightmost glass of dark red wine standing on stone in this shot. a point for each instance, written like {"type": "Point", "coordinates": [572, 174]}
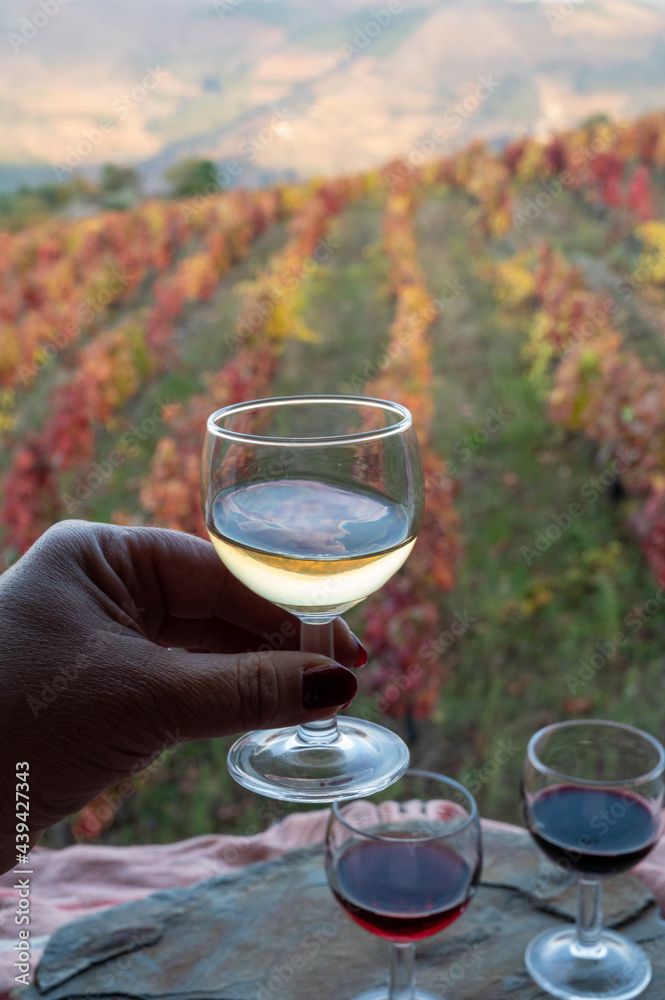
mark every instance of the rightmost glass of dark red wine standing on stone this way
{"type": "Point", "coordinates": [592, 799]}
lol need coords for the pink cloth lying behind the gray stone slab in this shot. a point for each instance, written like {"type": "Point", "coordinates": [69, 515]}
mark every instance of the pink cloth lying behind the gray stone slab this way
{"type": "Point", "coordinates": [80, 880]}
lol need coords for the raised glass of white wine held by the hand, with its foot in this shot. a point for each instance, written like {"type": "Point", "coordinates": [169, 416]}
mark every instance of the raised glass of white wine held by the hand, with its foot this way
{"type": "Point", "coordinates": [314, 502]}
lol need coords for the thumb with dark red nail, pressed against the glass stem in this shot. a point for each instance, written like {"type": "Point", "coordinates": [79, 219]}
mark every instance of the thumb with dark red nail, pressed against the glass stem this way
{"type": "Point", "coordinates": [208, 694]}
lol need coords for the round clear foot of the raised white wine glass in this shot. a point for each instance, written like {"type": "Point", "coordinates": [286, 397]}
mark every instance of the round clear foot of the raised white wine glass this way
{"type": "Point", "coordinates": [364, 758]}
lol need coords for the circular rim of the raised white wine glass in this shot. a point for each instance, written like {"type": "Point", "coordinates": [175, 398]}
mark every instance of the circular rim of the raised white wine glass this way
{"type": "Point", "coordinates": [403, 423]}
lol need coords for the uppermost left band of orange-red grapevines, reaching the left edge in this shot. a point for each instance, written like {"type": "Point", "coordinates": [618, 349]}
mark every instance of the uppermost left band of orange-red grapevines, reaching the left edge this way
{"type": "Point", "coordinates": [59, 281]}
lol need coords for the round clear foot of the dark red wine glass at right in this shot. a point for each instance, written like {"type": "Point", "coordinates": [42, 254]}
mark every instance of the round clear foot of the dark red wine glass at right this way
{"type": "Point", "coordinates": [615, 969]}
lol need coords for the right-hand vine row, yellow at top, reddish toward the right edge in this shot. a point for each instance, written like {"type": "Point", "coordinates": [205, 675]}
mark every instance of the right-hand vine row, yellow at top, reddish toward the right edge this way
{"type": "Point", "coordinates": [593, 383]}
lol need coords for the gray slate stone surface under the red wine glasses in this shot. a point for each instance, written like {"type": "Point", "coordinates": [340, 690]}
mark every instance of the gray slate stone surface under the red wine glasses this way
{"type": "Point", "coordinates": [272, 931]}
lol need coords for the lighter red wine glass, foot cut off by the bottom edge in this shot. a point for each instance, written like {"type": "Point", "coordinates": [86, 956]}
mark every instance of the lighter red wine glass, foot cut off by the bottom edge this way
{"type": "Point", "coordinates": [404, 864]}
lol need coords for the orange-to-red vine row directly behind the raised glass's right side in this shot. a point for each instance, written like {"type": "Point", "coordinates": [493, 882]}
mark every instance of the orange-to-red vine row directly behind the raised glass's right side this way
{"type": "Point", "coordinates": [402, 622]}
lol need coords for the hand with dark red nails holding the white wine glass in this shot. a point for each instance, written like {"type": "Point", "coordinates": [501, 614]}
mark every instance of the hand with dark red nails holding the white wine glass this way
{"type": "Point", "coordinates": [90, 689]}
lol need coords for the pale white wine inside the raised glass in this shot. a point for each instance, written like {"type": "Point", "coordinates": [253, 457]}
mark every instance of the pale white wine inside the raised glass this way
{"type": "Point", "coordinates": [309, 546]}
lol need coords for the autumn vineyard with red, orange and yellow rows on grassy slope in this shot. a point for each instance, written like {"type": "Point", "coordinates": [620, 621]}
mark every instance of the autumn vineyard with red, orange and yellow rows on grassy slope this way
{"type": "Point", "coordinates": [514, 301]}
